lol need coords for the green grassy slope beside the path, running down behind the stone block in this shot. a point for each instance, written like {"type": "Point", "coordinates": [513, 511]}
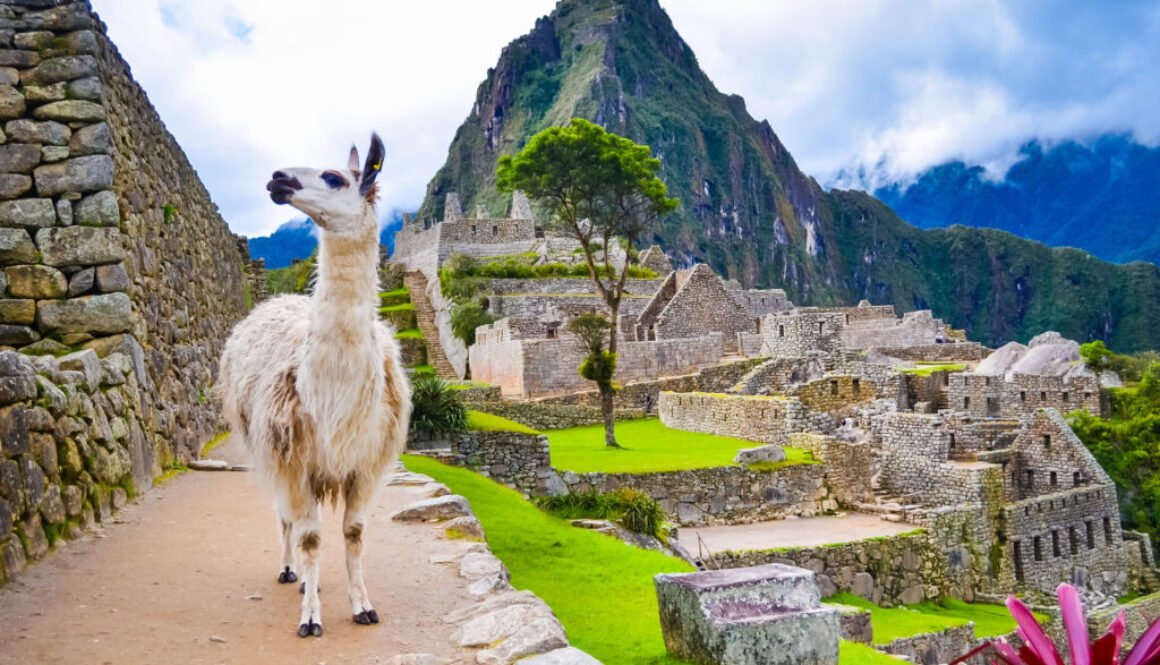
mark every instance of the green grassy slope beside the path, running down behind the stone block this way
{"type": "Point", "coordinates": [600, 589]}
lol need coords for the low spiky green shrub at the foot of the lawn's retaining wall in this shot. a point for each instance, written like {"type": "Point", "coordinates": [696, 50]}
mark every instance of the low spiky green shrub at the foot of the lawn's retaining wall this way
{"type": "Point", "coordinates": [630, 509]}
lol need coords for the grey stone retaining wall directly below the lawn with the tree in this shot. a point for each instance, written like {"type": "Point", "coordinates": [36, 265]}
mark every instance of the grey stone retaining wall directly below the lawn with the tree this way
{"type": "Point", "coordinates": [722, 495]}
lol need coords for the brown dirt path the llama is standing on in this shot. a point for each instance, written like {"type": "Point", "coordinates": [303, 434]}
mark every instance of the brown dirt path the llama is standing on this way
{"type": "Point", "coordinates": [187, 575]}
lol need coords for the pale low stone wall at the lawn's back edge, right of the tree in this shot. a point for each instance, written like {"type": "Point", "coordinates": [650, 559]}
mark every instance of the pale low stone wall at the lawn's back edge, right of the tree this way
{"type": "Point", "coordinates": [757, 418]}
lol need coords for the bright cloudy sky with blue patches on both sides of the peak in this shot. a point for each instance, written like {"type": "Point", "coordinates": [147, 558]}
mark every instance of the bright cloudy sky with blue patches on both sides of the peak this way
{"type": "Point", "coordinates": [880, 88]}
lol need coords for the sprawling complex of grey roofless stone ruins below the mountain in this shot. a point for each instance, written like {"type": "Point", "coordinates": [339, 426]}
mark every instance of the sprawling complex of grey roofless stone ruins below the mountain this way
{"type": "Point", "coordinates": [911, 422]}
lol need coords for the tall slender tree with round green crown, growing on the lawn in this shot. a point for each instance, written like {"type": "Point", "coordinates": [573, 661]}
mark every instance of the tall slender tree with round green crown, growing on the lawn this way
{"type": "Point", "coordinates": [600, 187]}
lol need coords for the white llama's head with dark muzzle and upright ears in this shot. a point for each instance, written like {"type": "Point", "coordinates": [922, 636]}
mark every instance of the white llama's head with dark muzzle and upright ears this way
{"type": "Point", "coordinates": [337, 200]}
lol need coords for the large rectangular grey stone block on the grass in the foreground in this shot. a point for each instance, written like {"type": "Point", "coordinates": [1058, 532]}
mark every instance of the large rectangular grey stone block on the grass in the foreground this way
{"type": "Point", "coordinates": [767, 615]}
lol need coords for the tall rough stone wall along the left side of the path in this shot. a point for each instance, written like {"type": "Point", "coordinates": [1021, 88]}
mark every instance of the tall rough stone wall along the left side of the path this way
{"type": "Point", "coordinates": [114, 257]}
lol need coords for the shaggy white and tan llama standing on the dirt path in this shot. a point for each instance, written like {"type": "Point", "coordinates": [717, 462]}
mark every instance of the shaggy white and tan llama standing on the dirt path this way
{"type": "Point", "coordinates": [315, 386]}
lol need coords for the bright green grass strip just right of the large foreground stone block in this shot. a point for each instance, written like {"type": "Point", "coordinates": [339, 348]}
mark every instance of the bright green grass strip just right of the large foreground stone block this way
{"type": "Point", "coordinates": [932, 617]}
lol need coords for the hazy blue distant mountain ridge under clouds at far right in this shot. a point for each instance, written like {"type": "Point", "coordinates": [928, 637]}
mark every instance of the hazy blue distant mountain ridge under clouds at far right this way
{"type": "Point", "coordinates": [1101, 197]}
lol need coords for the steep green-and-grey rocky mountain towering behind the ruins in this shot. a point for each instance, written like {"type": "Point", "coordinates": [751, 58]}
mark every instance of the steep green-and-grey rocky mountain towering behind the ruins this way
{"type": "Point", "coordinates": [748, 209]}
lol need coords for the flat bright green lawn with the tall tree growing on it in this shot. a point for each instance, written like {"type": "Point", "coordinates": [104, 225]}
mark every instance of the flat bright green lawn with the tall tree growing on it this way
{"type": "Point", "coordinates": [649, 447]}
